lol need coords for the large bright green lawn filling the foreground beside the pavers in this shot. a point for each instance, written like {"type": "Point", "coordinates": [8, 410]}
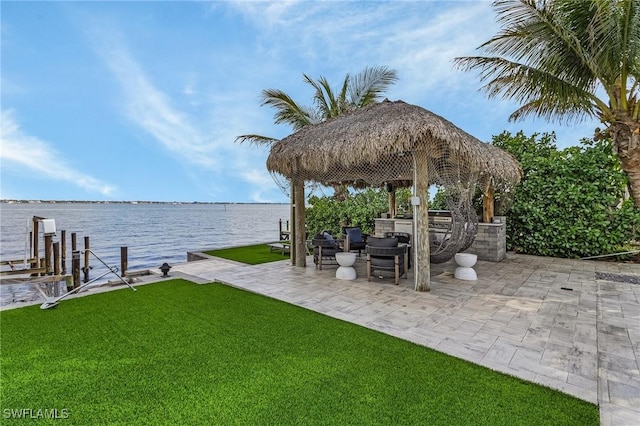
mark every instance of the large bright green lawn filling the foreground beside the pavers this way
{"type": "Point", "coordinates": [179, 353]}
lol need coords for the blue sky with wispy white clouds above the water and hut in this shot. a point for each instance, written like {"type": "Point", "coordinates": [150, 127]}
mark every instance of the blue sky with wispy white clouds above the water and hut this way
{"type": "Point", "coordinates": [143, 100]}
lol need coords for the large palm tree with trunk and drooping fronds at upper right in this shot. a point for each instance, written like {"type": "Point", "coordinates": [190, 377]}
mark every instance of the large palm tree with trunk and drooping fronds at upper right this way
{"type": "Point", "coordinates": [569, 60]}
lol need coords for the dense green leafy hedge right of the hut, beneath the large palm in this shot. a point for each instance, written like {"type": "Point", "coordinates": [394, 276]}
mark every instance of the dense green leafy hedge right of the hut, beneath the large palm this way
{"type": "Point", "coordinates": [569, 203]}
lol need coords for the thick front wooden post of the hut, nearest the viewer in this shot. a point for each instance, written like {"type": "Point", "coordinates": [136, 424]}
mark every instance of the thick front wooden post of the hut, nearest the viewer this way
{"type": "Point", "coordinates": [422, 272]}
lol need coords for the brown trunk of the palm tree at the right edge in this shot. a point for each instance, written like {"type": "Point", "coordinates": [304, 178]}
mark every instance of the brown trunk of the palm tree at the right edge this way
{"type": "Point", "coordinates": [626, 143]}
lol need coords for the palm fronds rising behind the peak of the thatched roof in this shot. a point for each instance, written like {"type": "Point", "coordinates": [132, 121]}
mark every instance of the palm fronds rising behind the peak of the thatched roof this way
{"type": "Point", "coordinates": [363, 89]}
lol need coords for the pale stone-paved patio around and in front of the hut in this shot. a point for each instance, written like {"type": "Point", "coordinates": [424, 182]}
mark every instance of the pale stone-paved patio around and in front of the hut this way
{"type": "Point", "coordinates": [545, 320]}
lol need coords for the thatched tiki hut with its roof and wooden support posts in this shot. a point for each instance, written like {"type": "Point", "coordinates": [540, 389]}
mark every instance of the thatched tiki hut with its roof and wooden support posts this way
{"type": "Point", "coordinates": [388, 143]}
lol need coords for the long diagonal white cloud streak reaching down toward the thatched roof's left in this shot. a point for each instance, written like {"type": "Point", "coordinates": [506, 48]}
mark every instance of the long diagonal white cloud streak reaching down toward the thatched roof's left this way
{"type": "Point", "coordinates": [200, 142]}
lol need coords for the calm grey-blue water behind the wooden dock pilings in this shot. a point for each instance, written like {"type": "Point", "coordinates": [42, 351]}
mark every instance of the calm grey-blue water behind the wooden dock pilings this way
{"type": "Point", "coordinates": [153, 233]}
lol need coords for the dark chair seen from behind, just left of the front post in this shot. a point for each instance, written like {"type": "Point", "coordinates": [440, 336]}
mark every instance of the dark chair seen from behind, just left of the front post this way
{"type": "Point", "coordinates": [384, 255]}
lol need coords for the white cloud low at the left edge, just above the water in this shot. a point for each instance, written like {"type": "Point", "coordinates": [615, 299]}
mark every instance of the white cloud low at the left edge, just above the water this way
{"type": "Point", "coordinates": [35, 155]}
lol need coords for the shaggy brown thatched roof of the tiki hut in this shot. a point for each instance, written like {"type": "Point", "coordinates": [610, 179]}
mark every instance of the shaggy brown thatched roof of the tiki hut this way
{"type": "Point", "coordinates": [374, 144]}
